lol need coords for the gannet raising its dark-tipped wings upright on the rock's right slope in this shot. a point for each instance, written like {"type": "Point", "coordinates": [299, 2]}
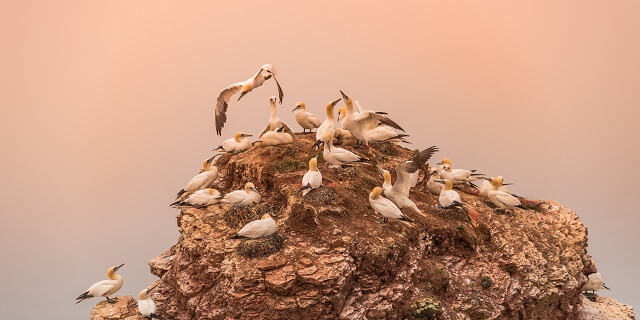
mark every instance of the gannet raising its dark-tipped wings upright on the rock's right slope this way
{"type": "Point", "coordinates": [399, 192]}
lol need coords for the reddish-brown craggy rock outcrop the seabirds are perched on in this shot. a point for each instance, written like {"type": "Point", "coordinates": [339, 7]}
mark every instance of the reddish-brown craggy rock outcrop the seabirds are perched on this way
{"type": "Point", "coordinates": [334, 258]}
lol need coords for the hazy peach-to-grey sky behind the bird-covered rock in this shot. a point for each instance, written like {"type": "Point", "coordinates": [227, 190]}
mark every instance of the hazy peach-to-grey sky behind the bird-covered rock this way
{"type": "Point", "coordinates": [107, 111]}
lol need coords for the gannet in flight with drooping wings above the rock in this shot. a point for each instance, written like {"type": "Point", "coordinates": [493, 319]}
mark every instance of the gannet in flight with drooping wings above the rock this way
{"type": "Point", "coordinates": [266, 72]}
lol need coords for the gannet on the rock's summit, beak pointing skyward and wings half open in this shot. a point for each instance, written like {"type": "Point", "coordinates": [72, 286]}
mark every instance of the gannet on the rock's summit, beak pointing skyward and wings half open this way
{"type": "Point", "coordinates": [363, 121]}
